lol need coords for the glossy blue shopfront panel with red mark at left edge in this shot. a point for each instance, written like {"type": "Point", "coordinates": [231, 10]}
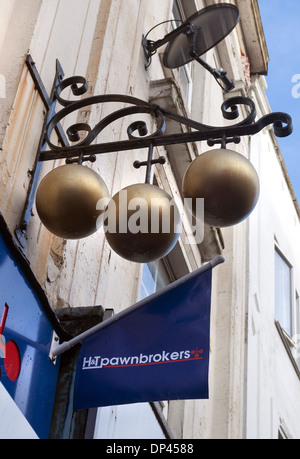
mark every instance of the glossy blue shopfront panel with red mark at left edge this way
{"type": "Point", "coordinates": [27, 323]}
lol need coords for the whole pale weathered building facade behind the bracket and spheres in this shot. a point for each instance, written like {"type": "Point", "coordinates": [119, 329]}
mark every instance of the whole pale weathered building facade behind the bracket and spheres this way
{"type": "Point", "coordinates": [250, 371]}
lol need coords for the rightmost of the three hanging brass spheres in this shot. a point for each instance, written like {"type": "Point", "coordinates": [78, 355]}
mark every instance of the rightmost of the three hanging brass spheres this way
{"type": "Point", "coordinates": [227, 182]}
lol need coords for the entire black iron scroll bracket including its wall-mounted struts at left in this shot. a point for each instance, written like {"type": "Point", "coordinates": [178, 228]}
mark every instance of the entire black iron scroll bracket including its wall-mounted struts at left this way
{"type": "Point", "coordinates": [87, 144]}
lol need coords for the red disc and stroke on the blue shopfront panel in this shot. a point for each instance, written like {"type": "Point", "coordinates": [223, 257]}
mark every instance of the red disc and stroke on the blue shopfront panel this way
{"type": "Point", "coordinates": [9, 351]}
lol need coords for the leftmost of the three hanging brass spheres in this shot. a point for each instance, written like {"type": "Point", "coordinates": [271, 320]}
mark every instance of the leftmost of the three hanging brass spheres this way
{"type": "Point", "coordinates": [66, 201]}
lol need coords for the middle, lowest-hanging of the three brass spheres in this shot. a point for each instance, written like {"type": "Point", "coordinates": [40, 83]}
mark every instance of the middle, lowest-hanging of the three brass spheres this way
{"type": "Point", "coordinates": [143, 223]}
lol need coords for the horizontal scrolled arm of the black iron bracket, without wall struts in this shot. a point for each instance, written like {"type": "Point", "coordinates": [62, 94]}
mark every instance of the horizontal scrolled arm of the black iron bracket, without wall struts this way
{"type": "Point", "coordinates": [282, 124]}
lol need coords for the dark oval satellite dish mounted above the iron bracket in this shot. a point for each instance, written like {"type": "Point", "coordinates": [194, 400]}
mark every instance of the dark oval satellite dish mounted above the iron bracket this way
{"type": "Point", "coordinates": [205, 29]}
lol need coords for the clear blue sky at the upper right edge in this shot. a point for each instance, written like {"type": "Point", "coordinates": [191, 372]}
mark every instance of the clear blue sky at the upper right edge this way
{"type": "Point", "coordinates": [281, 22]}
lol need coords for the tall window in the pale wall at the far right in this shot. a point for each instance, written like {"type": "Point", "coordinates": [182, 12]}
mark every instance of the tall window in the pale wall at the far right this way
{"type": "Point", "coordinates": [283, 293]}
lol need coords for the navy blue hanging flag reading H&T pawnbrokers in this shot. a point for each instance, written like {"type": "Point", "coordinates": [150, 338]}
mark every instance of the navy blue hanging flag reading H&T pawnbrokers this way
{"type": "Point", "coordinates": [157, 350]}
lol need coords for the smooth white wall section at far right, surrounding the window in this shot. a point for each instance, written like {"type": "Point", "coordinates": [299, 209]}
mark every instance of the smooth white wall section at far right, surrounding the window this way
{"type": "Point", "coordinates": [273, 385]}
